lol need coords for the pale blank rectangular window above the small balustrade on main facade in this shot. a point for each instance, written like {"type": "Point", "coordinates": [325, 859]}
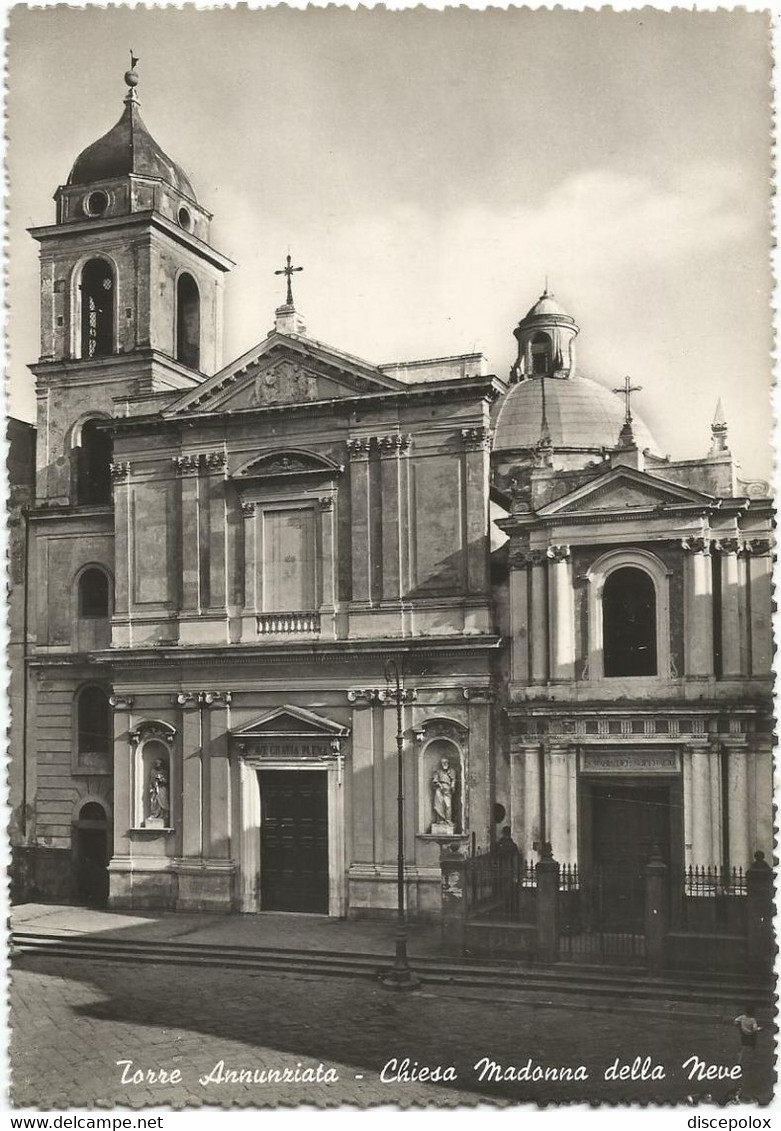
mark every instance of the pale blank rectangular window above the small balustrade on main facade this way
{"type": "Point", "coordinates": [289, 568]}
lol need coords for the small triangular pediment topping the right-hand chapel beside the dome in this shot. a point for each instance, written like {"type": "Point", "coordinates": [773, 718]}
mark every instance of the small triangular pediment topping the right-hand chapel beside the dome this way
{"type": "Point", "coordinates": [626, 489]}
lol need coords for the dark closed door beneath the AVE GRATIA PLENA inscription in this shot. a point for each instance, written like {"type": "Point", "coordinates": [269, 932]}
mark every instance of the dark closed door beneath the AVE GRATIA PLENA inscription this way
{"type": "Point", "coordinates": [294, 841]}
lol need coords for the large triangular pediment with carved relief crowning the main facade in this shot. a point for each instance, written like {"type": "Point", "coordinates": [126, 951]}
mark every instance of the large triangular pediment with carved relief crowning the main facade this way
{"type": "Point", "coordinates": [284, 370]}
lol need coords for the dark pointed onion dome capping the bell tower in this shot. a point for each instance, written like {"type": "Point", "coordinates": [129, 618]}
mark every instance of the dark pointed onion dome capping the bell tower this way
{"type": "Point", "coordinates": [129, 149]}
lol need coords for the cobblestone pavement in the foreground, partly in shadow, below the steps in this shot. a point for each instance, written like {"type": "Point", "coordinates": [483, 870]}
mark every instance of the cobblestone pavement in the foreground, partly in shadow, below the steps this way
{"type": "Point", "coordinates": [73, 1021]}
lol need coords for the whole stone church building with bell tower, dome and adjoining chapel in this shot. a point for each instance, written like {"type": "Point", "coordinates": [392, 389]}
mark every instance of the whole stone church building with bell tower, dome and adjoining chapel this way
{"type": "Point", "coordinates": [230, 565]}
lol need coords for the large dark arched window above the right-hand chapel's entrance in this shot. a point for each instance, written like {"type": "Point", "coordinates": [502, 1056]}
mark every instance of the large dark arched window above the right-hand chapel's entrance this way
{"type": "Point", "coordinates": [630, 623]}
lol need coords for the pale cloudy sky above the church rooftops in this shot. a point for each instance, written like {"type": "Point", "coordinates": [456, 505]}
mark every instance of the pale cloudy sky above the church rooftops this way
{"type": "Point", "coordinates": [429, 170]}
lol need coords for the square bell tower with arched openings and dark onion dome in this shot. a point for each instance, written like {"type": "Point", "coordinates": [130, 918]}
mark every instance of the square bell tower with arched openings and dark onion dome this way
{"type": "Point", "coordinates": [132, 300]}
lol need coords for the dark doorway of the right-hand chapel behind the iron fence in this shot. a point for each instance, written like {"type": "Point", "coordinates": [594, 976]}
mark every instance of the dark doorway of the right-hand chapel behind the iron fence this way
{"type": "Point", "coordinates": [628, 822]}
